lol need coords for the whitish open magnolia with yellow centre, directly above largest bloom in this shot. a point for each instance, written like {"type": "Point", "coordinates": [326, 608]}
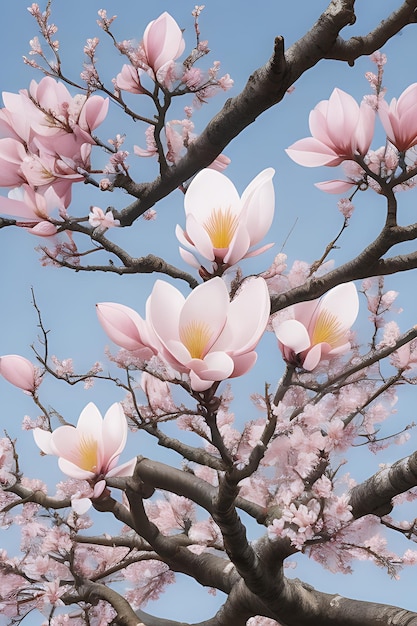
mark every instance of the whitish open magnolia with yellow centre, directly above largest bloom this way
{"type": "Point", "coordinates": [221, 226]}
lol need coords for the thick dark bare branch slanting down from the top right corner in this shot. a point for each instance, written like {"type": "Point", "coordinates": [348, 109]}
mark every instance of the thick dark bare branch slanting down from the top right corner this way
{"type": "Point", "coordinates": [266, 87]}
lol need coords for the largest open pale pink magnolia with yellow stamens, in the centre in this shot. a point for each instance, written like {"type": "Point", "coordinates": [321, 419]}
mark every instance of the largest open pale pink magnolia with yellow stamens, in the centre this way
{"type": "Point", "coordinates": [206, 335]}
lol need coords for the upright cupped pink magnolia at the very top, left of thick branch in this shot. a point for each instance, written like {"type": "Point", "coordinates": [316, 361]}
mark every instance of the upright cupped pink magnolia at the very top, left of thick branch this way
{"type": "Point", "coordinates": [162, 42]}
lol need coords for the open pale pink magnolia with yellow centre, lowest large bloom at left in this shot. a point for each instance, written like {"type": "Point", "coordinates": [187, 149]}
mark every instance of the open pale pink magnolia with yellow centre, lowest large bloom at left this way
{"type": "Point", "coordinates": [91, 450]}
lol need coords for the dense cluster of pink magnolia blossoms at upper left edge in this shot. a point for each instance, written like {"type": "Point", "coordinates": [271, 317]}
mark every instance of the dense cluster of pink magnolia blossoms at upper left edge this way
{"type": "Point", "coordinates": [45, 148]}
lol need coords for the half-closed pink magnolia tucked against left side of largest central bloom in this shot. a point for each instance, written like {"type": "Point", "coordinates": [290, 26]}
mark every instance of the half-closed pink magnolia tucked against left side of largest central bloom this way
{"type": "Point", "coordinates": [127, 329]}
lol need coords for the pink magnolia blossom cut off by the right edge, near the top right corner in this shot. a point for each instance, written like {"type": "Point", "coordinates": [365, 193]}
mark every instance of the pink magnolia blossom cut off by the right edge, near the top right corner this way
{"type": "Point", "coordinates": [399, 119]}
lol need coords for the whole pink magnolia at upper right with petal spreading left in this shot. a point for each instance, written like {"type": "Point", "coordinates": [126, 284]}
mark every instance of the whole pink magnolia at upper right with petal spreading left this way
{"type": "Point", "coordinates": [340, 131]}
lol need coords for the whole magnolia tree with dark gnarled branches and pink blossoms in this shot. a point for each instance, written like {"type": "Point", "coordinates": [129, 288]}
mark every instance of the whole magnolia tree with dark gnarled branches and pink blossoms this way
{"type": "Point", "coordinates": [285, 477]}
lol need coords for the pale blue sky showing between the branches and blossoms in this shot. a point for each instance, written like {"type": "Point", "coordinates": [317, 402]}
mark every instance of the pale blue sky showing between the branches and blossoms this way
{"type": "Point", "coordinates": [240, 35]}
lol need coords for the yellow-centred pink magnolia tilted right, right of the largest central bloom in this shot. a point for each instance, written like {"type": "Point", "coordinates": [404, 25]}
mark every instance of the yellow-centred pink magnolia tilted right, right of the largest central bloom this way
{"type": "Point", "coordinates": [319, 329]}
